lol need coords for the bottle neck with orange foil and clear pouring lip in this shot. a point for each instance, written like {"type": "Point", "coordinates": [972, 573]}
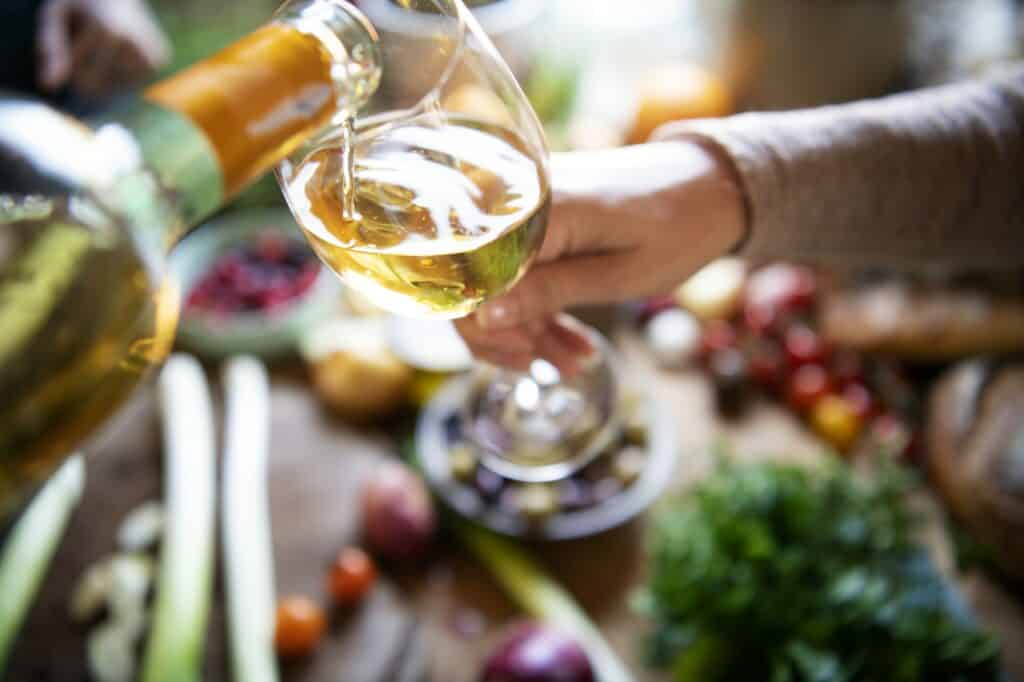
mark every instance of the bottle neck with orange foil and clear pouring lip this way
{"type": "Point", "coordinates": [209, 132]}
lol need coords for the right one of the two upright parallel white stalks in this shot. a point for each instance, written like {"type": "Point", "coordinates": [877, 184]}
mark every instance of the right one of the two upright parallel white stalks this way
{"type": "Point", "coordinates": [246, 523]}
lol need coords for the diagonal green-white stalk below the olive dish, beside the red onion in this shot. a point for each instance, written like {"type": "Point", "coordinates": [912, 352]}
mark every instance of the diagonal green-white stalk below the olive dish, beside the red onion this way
{"type": "Point", "coordinates": [542, 598]}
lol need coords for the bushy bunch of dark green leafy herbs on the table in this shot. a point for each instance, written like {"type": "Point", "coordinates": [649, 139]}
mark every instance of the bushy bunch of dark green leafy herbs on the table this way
{"type": "Point", "coordinates": [770, 572]}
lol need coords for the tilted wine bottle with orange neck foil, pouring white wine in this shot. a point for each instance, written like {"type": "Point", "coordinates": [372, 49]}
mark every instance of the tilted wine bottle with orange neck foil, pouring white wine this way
{"type": "Point", "coordinates": [89, 211]}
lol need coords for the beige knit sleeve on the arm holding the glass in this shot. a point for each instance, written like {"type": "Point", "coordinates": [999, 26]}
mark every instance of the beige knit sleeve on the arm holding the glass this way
{"type": "Point", "coordinates": [930, 179]}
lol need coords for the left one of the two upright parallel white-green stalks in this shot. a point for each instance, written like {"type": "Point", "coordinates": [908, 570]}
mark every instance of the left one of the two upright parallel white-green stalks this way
{"type": "Point", "coordinates": [175, 652]}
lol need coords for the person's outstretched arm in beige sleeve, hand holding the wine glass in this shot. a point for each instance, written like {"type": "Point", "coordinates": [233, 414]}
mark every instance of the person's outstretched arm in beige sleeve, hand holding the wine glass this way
{"type": "Point", "coordinates": [930, 179]}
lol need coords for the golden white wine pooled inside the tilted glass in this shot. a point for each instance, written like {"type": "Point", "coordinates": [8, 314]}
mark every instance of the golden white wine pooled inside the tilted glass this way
{"type": "Point", "coordinates": [444, 212]}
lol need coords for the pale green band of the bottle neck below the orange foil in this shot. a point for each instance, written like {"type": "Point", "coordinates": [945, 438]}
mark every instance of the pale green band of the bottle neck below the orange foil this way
{"type": "Point", "coordinates": [181, 157]}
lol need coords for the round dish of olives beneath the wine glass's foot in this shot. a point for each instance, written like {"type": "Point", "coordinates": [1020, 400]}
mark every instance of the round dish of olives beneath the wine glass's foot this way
{"type": "Point", "coordinates": [486, 497]}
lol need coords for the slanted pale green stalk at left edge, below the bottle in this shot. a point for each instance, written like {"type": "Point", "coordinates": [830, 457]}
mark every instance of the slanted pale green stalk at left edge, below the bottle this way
{"type": "Point", "coordinates": [32, 545]}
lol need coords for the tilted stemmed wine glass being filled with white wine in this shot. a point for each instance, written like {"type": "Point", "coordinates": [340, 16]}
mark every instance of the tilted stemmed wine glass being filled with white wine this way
{"type": "Point", "coordinates": [434, 200]}
